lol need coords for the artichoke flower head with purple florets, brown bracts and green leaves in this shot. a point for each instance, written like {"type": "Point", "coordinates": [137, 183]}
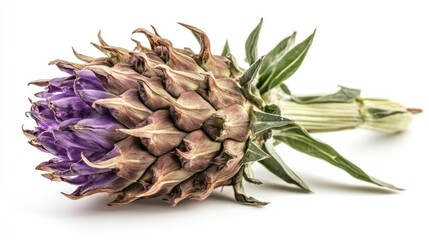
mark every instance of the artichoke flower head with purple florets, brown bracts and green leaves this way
{"type": "Point", "coordinates": [161, 121]}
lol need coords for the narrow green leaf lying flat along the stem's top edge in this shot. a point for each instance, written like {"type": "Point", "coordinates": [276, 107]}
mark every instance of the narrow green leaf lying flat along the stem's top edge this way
{"type": "Point", "coordinates": [344, 95]}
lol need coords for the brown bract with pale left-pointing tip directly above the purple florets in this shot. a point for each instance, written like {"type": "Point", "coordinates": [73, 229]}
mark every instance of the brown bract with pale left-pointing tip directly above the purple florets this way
{"type": "Point", "coordinates": [116, 79]}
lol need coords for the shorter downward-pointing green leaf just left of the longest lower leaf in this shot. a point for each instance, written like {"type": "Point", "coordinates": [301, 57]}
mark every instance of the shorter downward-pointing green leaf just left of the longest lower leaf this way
{"type": "Point", "coordinates": [276, 165]}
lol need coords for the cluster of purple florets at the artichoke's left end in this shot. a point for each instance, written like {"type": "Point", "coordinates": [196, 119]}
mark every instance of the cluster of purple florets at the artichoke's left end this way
{"type": "Point", "coordinates": [68, 126]}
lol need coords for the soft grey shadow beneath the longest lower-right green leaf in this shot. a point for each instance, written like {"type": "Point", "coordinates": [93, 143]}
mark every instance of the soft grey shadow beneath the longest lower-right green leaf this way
{"type": "Point", "coordinates": [321, 183]}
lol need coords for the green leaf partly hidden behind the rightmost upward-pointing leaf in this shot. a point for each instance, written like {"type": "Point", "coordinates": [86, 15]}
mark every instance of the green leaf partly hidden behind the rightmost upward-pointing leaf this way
{"type": "Point", "coordinates": [278, 52]}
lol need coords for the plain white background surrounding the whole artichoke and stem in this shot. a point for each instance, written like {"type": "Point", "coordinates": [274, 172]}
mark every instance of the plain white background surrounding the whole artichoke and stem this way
{"type": "Point", "coordinates": [378, 46]}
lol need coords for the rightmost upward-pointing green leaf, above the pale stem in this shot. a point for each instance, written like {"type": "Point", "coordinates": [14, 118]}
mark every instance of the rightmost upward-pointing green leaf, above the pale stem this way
{"type": "Point", "coordinates": [286, 66]}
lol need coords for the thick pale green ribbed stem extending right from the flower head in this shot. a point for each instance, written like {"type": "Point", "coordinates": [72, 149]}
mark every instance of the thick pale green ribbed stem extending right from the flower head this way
{"type": "Point", "coordinates": [375, 114]}
